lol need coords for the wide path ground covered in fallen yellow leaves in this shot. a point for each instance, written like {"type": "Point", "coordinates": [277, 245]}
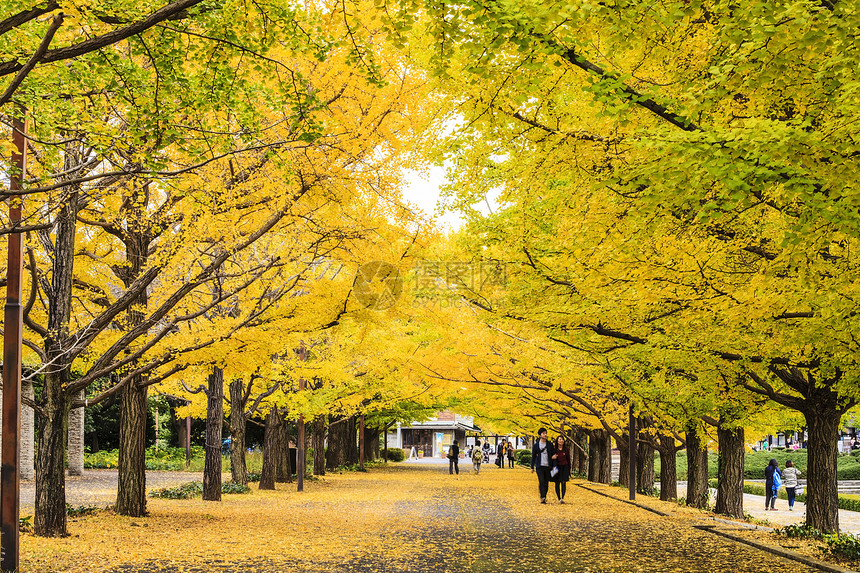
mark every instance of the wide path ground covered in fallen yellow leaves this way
{"type": "Point", "coordinates": [398, 519]}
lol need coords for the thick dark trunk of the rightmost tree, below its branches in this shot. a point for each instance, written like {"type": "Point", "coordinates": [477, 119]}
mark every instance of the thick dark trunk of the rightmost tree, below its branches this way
{"type": "Point", "coordinates": [822, 501]}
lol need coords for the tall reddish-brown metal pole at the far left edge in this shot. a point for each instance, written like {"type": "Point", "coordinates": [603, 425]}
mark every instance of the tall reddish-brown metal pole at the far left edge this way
{"type": "Point", "coordinates": [13, 324]}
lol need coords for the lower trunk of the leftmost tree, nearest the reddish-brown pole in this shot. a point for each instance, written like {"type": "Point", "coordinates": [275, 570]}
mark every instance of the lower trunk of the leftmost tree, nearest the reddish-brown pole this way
{"type": "Point", "coordinates": [50, 519]}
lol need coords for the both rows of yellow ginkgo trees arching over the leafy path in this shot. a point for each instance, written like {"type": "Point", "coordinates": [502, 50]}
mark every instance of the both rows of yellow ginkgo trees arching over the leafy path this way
{"type": "Point", "coordinates": [674, 231]}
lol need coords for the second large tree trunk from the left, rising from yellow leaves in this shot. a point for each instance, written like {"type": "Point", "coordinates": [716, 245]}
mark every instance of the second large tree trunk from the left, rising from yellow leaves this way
{"type": "Point", "coordinates": [131, 484]}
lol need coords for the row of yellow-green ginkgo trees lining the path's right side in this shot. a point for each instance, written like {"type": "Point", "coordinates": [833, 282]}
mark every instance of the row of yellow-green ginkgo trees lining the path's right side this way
{"type": "Point", "coordinates": [676, 212]}
